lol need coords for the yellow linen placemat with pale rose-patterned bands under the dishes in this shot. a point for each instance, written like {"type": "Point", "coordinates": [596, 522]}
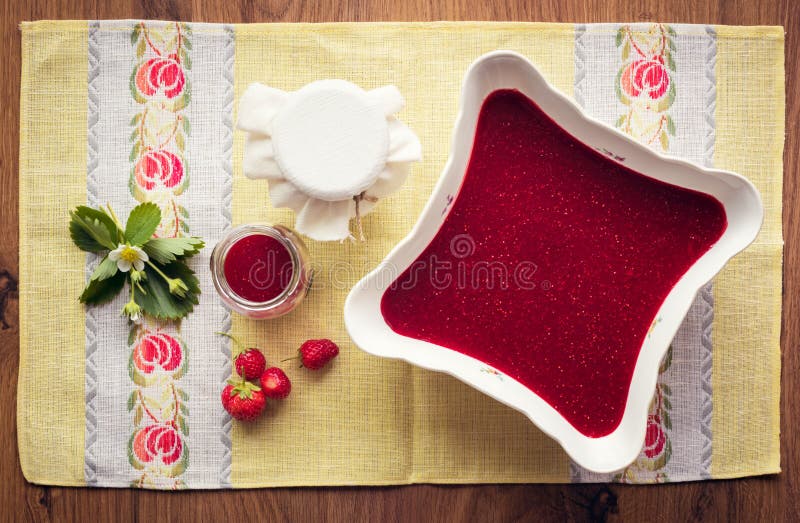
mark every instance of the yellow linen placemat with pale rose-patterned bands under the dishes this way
{"type": "Point", "coordinates": [365, 421]}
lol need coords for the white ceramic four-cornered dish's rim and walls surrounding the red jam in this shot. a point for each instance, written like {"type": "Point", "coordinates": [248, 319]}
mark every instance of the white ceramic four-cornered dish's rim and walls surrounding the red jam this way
{"type": "Point", "coordinates": [742, 203]}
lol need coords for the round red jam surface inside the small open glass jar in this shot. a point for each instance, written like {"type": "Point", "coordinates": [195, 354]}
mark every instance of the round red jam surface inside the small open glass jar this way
{"type": "Point", "coordinates": [258, 268]}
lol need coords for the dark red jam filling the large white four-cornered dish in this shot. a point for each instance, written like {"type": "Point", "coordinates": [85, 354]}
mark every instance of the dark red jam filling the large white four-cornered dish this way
{"type": "Point", "coordinates": [552, 263]}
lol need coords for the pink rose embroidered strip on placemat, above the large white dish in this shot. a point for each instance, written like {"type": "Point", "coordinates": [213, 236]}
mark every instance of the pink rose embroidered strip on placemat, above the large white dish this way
{"type": "Point", "coordinates": [645, 83]}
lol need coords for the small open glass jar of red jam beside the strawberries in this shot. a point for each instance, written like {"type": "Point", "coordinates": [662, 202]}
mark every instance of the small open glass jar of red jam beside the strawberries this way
{"type": "Point", "coordinates": [243, 257]}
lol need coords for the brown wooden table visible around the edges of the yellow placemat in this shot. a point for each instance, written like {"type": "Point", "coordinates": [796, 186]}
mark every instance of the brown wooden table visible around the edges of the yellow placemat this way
{"type": "Point", "coordinates": [756, 499]}
